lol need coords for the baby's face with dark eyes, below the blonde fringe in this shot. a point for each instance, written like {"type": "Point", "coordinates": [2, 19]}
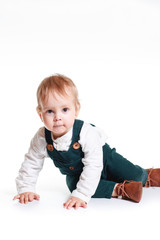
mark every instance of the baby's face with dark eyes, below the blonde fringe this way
{"type": "Point", "coordinates": [58, 113]}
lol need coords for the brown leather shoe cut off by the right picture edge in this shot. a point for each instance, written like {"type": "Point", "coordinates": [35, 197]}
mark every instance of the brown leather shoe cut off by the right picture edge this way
{"type": "Point", "coordinates": [153, 179]}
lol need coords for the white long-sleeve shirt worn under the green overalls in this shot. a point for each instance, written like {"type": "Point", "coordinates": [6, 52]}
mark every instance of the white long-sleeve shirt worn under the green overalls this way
{"type": "Point", "coordinates": [91, 140]}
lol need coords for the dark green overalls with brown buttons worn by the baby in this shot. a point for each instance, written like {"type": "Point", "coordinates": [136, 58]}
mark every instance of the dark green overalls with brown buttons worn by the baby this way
{"type": "Point", "coordinates": [116, 168]}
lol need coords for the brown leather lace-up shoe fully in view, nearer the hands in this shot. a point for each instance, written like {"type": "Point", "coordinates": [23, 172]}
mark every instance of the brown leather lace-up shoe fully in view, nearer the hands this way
{"type": "Point", "coordinates": [130, 190]}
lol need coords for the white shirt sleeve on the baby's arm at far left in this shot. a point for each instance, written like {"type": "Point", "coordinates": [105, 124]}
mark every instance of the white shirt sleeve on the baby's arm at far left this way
{"type": "Point", "coordinates": [32, 164]}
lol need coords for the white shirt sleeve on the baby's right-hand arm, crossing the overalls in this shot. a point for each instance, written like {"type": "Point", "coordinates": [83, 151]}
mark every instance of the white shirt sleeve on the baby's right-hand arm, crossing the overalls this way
{"type": "Point", "coordinates": [91, 143]}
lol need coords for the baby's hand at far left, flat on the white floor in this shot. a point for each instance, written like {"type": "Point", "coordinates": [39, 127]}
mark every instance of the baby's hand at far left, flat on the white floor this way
{"type": "Point", "coordinates": [26, 197]}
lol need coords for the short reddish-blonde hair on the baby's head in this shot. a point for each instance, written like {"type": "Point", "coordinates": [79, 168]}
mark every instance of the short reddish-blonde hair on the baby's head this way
{"type": "Point", "coordinates": [56, 83]}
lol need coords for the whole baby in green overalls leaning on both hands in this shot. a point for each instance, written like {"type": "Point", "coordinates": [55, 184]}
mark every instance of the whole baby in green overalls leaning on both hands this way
{"type": "Point", "coordinates": [80, 152]}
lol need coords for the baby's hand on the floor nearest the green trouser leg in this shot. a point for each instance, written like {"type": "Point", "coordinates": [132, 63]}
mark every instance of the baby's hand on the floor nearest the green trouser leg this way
{"type": "Point", "coordinates": [75, 202]}
